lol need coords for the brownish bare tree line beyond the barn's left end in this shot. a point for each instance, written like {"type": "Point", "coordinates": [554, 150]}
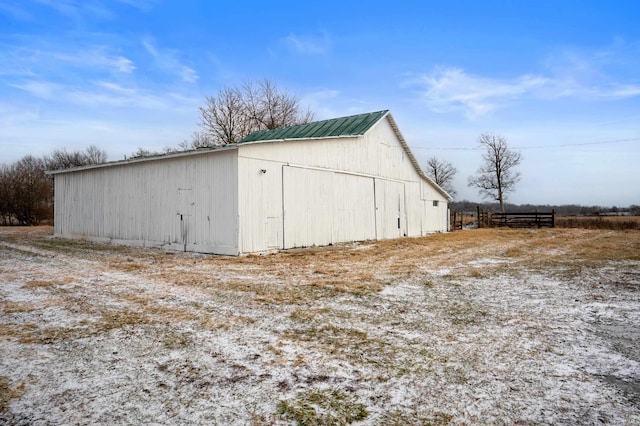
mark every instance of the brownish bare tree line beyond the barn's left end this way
{"type": "Point", "coordinates": [26, 192]}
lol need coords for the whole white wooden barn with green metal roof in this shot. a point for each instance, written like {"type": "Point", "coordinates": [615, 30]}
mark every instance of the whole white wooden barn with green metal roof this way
{"type": "Point", "coordinates": [346, 179]}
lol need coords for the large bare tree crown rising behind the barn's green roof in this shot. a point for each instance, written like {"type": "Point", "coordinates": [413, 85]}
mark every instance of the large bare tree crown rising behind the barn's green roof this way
{"type": "Point", "coordinates": [235, 112]}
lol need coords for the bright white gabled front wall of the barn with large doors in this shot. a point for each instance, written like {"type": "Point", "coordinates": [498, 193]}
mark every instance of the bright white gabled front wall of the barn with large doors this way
{"type": "Point", "coordinates": [403, 199]}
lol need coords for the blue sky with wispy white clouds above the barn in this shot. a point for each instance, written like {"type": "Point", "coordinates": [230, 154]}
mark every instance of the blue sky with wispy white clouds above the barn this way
{"type": "Point", "coordinates": [559, 79]}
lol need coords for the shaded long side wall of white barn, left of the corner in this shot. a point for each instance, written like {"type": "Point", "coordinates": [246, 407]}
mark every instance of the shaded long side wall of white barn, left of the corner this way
{"type": "Point", "coordinates": [182, 203]}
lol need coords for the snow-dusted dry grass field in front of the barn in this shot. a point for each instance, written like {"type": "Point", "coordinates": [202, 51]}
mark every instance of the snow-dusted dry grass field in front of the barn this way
{"type": "Point", "coordinates": [488, 326]}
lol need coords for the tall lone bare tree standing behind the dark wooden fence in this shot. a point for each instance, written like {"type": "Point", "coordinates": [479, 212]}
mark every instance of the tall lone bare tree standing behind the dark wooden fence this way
{"type": "Point", "coordinates": [497, 176]}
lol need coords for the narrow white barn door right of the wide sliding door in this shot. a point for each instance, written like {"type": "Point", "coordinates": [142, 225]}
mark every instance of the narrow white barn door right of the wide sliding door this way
{"type": "Point", "coordinates": [390, 209]}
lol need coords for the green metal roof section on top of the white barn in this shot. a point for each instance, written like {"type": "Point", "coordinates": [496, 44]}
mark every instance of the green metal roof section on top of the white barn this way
{"type": "Point", "coordinates": [353, 125]}
